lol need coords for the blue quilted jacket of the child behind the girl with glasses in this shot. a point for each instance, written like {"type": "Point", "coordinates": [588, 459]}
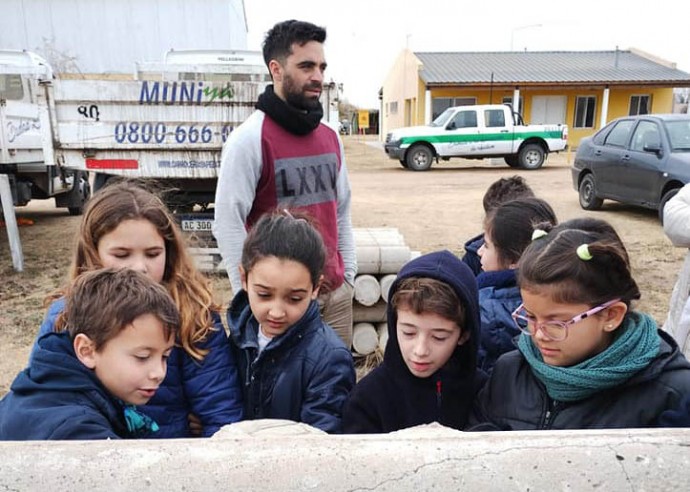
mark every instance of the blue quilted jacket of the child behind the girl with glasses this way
{"type": "Point", "coordinates": [499, 296]}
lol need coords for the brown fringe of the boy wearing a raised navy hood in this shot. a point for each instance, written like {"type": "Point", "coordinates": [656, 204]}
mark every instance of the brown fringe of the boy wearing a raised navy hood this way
{"type": "Point", "coordinates": [428, 295]}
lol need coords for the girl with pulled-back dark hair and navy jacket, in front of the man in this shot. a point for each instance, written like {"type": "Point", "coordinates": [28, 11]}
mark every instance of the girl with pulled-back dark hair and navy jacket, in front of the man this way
{"type": "Point", "coordinates": [292, 363]}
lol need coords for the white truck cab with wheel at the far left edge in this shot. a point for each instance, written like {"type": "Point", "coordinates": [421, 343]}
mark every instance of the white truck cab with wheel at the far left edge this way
{"type": "Point", "coordinates": [23, 120]}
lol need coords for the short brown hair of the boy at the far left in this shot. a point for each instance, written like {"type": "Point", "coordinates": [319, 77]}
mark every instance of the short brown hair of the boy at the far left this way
{"type": "Point", "coordinates": [101, 303]}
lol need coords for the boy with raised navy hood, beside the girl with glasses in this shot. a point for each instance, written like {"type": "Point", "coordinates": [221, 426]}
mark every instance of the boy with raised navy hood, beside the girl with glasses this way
{"type": "Point", "coordinates": [429, 370]}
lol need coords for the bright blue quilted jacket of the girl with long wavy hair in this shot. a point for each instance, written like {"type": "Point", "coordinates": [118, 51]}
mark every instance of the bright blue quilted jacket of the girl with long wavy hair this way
{"type": "Point", "coordinates": [208, 388]}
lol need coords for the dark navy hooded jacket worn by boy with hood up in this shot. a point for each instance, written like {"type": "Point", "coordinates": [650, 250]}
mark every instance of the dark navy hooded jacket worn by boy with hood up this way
{"type": "Point", "coordinates": [391, 397]}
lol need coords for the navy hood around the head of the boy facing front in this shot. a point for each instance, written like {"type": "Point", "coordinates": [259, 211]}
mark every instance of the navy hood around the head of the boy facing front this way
{"type": "Point", "coordinates": [448, 268]}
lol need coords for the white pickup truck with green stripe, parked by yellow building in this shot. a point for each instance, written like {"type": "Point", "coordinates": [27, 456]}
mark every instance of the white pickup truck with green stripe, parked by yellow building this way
{"type": "Point", "coordinates": [476, 132]}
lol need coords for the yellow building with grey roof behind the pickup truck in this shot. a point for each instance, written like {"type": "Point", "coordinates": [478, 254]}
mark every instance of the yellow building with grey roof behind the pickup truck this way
{"type": "Point", "coordinates": [583, 89]}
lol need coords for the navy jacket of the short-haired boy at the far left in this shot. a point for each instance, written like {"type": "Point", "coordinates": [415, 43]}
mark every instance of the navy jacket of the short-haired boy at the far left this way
{"type": "Point", "coordinates": [59, 398]}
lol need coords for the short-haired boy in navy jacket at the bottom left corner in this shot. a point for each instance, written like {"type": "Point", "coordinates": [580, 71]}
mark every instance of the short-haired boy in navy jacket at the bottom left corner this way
{"type": "Point", "coordinates": [83, 383]}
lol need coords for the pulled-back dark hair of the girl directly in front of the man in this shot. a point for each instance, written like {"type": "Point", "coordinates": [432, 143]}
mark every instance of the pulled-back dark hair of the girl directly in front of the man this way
{"type": "Point", "coordinates": [287, 236]}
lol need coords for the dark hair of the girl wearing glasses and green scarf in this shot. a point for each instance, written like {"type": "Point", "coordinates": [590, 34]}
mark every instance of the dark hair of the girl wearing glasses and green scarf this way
{"type": "Point", "coordinates": [553, 261]}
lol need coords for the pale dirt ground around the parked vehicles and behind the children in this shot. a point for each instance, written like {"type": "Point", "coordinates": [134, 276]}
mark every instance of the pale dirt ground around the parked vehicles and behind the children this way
{"type": "Point", "coordinates": [433, 210]}
